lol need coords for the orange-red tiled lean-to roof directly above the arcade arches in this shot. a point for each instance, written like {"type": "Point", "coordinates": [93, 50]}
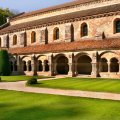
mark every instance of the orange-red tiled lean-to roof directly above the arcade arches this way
{"type": "Point", "coordinates": [71, 46]}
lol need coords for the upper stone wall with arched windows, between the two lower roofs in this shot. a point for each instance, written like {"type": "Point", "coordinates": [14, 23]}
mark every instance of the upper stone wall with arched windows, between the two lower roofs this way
{"type": "Point", "coordinates": [96, 27]}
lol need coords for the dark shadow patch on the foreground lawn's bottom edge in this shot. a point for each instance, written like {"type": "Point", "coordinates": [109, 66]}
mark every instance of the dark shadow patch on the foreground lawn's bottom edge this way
{"type": "Point", "coordinates": [44, 113]}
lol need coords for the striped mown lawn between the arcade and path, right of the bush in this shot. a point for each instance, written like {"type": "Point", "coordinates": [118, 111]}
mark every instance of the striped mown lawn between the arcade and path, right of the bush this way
{"type": "Point", "coordinates": [85, 84]}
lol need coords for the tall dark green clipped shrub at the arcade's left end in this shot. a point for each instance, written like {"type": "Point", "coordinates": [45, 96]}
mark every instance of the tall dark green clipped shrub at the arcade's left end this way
{"type": "Point", "coordinates": [4, 63]}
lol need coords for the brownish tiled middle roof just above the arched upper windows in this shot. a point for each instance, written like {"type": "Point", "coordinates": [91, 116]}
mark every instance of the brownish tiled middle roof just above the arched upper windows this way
{"type": "Point", "coordinates": [80, 14]}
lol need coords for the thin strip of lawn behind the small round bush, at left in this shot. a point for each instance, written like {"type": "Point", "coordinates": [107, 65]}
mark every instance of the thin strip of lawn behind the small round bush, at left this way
{"type": "Point", "coordinates": [19, 78]}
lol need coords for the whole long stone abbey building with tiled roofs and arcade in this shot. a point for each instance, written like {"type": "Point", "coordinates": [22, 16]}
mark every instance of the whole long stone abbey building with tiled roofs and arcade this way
{"type": "Point", "coordinates": [80, 38]}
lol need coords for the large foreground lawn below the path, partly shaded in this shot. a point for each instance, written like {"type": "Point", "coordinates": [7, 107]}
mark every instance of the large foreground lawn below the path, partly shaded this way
{"type": "Point", "coordinates": [31, 106]}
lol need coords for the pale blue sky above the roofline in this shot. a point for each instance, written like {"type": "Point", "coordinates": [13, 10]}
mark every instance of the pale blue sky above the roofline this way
{"type": "Point", "coordinates": [29, 5]}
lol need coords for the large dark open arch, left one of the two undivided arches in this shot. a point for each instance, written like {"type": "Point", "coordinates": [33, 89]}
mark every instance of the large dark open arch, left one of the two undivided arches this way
{"type": "Point", "coordinates": [62, 65]}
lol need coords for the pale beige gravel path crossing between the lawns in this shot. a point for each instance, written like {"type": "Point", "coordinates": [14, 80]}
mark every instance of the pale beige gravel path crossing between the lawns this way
{"type": "Point", "coordinates": [20, 86]}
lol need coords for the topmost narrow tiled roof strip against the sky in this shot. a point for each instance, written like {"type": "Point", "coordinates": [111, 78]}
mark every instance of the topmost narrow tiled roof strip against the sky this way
{"type": "Point", "coordinates": [77, 2]}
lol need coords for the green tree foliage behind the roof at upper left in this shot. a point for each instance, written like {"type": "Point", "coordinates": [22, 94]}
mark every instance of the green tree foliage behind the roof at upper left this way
{"type": "Point", "coordinates": [4, 13]}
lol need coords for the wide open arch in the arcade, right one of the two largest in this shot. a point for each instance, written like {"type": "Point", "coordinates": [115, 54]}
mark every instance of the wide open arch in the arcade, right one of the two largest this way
{"type": "Point", "coordinates": [84, 65]}
